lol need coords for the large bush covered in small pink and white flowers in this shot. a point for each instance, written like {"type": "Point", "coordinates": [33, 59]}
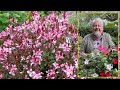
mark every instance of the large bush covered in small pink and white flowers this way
{"type": "Point", "coordinates": [44, 48]}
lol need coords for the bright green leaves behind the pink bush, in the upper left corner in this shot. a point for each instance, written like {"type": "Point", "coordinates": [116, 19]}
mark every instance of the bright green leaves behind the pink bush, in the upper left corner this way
{"type": "Point", "coordinates": [21, 16]}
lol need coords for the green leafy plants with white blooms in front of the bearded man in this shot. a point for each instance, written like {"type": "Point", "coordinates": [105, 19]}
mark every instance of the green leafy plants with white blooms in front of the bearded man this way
{"type": "Point", "coordinates": [95, 63]}
